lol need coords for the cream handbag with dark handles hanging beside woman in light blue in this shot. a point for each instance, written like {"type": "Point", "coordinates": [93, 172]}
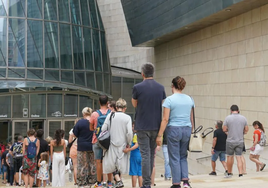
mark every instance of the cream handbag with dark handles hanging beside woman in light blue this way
{"type": "Point", "coordinates": [197, 138]}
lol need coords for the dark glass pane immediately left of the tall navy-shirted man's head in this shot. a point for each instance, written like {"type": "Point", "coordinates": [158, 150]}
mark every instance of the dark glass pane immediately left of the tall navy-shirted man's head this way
{"type": "Point", "coordinates": [128, 84]}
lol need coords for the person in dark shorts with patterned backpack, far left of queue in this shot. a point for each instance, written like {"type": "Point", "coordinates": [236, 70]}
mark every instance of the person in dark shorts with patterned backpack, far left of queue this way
{"type": "Point", "coordinates": [16, 152]}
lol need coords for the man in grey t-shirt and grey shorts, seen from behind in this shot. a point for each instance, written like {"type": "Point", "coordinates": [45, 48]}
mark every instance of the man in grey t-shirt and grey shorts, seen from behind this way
{"type": "Point", "coordinates": [236, 126]}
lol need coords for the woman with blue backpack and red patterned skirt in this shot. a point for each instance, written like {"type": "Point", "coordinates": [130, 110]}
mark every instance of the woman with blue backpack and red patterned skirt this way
{"type": "Point", "coordinates": [29, 161]}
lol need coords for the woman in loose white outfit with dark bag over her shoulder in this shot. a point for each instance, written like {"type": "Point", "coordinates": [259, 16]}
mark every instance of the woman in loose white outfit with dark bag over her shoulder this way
{"type": "Point", "coordinates": [119, 125]}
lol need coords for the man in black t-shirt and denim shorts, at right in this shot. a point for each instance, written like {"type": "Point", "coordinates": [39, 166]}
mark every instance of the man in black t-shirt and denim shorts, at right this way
{"type": "Point", "coordinates": [218, 148]}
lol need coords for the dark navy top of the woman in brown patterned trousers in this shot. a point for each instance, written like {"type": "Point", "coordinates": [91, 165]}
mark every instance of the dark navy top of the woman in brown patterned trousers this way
{"type": "Point", "coordinates": [84, 135]}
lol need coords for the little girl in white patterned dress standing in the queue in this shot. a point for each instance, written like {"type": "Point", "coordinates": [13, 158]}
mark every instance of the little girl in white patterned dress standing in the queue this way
{"type": "Point", "coordinates": [43, 168]}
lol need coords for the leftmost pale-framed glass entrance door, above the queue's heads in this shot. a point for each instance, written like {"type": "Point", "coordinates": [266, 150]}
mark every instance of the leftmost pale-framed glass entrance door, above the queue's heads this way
{"type": "Point", "coordinates": [19, 127]}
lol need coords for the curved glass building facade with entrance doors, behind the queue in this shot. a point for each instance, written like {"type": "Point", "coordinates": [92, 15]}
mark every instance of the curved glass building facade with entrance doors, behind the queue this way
{"type": "Point", "coordinates": [53, 63]}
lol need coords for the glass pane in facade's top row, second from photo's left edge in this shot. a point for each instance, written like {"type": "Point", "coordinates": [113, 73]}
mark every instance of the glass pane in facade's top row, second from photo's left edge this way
{"type": "Point", "coordinates": [16, 8]}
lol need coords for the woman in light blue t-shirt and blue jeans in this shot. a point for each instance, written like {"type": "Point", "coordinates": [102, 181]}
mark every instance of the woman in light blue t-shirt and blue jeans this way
{"type": "Point", "coordinates": [178, 117]}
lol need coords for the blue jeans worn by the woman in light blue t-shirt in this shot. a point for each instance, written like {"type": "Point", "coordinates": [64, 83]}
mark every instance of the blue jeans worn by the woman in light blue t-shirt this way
{"type": "Point", "coordinates": [177, 141]}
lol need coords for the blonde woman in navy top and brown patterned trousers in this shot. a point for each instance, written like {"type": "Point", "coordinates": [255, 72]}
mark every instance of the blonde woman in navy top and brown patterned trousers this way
{"type": "Point", "coordinates": [86, 168]}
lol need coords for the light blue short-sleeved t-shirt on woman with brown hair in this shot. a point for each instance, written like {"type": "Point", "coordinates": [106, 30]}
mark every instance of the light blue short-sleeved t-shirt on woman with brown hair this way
{"type": "Point", "coordinates": [180, 106]}
